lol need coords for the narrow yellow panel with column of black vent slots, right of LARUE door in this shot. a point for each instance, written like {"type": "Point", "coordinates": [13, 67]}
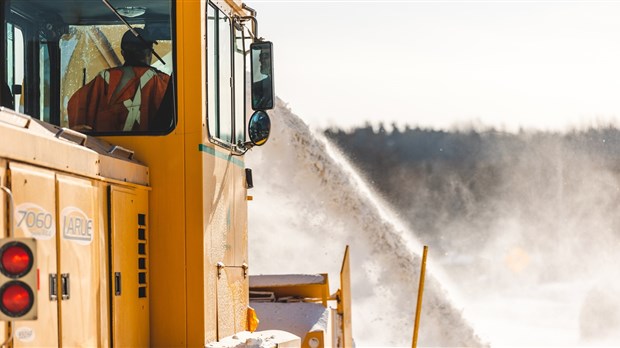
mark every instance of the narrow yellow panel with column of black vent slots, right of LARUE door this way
{"type": "Point", "coordinates": [129, 269]}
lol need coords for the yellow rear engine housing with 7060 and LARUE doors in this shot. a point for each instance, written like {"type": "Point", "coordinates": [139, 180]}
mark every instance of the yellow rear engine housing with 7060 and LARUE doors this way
{"type": "Point", "coordinates": [68, 215]}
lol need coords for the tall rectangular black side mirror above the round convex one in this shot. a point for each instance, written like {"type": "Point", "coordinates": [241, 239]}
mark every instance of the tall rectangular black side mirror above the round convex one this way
{"type": "Point", "coordinates": [262, 75]}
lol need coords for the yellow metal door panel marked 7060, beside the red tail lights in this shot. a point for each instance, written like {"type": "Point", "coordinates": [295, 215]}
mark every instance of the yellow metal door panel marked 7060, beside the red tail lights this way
{"type": "Point", "coordinates": [34, 195]}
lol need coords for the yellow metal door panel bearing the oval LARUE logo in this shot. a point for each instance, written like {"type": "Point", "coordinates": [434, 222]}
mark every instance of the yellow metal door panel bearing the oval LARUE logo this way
{"type": "Point", "coordinates": [80, 262]}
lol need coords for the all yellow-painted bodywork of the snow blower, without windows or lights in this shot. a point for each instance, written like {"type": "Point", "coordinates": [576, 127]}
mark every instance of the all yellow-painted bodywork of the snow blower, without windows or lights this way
{"type": "Point", "coordinates": [140, 247]}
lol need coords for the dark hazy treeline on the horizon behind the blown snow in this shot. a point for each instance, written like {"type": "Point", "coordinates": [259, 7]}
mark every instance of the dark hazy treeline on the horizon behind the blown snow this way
{"type": "Point", "coordinates": [445, 182]}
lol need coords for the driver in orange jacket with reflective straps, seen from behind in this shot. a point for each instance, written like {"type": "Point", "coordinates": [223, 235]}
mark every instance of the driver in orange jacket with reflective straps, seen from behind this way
{"type": "Point", "coordinates": [124, 98]}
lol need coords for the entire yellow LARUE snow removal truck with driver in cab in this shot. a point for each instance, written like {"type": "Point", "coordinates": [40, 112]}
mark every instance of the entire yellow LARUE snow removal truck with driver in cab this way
{"type": "Point", "coordinates": [124, 188]}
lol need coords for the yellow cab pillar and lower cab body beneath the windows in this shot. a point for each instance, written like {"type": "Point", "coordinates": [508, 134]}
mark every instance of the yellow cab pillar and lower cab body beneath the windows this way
{"type": "Point", "coordinates": [197, 208]}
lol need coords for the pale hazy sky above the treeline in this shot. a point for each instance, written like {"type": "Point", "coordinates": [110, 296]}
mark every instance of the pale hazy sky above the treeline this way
{"type": "Point", "coordinates": [542, 64]}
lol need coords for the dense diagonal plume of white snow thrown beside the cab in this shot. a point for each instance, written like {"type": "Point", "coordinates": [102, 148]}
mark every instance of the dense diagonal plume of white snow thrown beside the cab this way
{"type": "Point", "coordinates": [308, 204]}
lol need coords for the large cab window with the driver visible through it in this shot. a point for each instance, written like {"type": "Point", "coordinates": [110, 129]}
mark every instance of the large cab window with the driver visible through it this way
{"type": "Point", "coordinates": [76, 64]}
